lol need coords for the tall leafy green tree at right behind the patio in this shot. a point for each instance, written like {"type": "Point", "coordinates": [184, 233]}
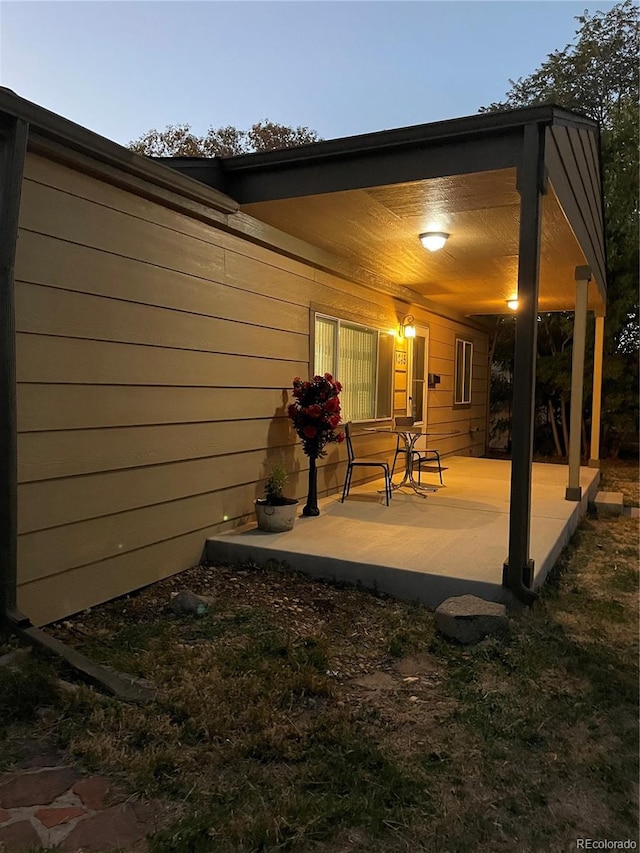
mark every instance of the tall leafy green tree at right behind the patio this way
{"type": "Point", "coordinates": [596, 75]}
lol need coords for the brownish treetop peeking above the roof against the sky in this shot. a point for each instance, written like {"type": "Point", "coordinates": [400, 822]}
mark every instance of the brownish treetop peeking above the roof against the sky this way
{"type": "Point", "coordinates": [177, 140]}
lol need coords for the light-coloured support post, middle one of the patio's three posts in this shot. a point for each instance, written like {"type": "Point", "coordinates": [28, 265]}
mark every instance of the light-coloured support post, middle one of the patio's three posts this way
{"type": "Point", "coordinates": [583, 277]}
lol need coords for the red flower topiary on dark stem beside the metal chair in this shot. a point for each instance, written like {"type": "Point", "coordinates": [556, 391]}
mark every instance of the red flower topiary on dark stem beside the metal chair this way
{"type": "Point", "coordinates": [315, 414]}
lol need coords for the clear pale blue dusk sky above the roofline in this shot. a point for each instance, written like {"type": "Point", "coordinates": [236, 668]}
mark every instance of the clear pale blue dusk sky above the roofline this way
{"type": "Point", "coordinates": [341, 68]}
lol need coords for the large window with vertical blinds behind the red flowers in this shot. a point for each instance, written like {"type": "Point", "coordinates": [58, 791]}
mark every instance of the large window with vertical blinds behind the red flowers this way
{"type": "Point", "coordinates": [362, 360]}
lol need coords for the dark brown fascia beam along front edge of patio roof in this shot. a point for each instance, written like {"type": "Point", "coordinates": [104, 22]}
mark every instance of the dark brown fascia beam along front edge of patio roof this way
{"type": "Point", "coordinates": [485, 142]}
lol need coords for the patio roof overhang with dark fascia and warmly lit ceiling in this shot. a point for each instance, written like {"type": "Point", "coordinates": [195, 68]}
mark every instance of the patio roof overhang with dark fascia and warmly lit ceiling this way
{"type": "Point", "coordinates": [365, 199]}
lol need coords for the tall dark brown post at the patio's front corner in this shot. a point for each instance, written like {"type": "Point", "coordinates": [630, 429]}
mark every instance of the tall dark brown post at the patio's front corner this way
{"type": "Point", "coordinates": [530, 182]}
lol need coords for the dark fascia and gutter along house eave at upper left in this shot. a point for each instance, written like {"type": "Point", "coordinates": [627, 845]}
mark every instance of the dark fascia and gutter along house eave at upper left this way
{"type": "Point", "coordinates": [51, 126]}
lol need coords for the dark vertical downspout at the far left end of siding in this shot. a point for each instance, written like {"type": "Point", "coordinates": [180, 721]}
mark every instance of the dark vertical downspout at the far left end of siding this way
{"type": "Point", "coordinates": [13, 143]}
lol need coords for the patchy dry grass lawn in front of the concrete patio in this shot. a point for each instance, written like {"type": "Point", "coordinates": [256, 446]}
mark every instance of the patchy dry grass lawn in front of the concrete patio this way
{"type": "Point", "coordinates": [300, 716]}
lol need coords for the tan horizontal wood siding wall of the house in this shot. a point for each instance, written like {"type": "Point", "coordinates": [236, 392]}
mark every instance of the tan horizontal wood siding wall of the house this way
{"type": "Point", "coordinates": [154, 354]}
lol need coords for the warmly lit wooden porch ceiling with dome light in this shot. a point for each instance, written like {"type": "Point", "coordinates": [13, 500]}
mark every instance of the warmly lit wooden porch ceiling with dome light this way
{"type": "Point", "coordinates": [377, 228]}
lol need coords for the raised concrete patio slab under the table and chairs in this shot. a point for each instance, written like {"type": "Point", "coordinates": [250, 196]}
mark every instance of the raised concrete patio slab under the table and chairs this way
{"type": "Point", "coordinates": [451, 542]}
